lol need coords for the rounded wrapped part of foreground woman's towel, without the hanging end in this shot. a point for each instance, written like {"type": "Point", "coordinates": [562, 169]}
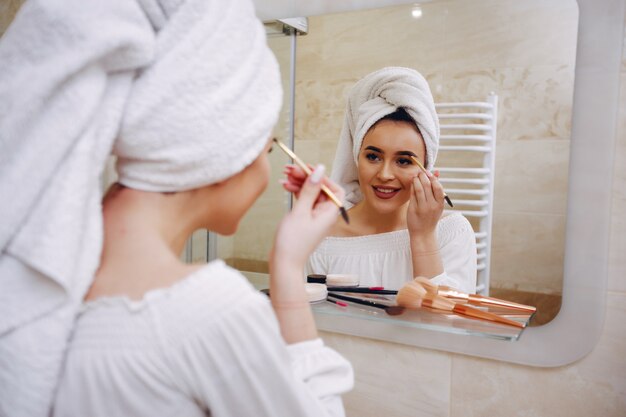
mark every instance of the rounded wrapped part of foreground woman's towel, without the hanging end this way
{"type": "Point", "coordinates": [205, 108]}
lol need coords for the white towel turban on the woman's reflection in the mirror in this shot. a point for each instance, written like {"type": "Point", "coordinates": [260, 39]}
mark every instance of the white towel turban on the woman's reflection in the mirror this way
{"type": "Point", "coordinates": [372, 98]}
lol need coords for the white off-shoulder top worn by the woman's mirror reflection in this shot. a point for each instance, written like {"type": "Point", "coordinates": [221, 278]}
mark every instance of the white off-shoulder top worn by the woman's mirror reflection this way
{"type": "Point", "coordinates": [385, 259]}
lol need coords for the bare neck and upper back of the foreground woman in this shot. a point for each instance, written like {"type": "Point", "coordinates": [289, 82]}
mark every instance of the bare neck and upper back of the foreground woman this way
{"type": "Point", "coordinates": [144, 233]}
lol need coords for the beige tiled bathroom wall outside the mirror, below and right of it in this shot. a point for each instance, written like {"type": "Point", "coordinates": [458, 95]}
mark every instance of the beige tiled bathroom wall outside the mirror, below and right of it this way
{"type": "Point", "coordinates": [402, 381]}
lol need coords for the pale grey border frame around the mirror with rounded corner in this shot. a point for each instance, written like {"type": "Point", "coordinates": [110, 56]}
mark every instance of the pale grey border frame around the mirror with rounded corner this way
{"type": "Point", "coordinates": [576, 329]}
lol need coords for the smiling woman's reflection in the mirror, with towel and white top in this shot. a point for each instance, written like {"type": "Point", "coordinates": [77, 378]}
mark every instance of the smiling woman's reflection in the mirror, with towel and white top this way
{"type": "Point", "coordinates": [397, 228]}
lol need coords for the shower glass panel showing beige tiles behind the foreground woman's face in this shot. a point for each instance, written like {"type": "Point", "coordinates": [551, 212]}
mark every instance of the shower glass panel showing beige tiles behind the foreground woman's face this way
{"type": "Point", "coordinates": [248, 249]}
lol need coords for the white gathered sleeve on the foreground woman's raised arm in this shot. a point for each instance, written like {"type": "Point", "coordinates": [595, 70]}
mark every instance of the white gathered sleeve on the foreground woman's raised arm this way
{"type": "Point", "coordinates": [240, 366]}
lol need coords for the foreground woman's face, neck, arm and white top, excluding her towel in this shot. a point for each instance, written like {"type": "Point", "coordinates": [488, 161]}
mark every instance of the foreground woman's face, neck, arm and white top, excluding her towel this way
{"type": "Point", "coordinates": [160, 337]}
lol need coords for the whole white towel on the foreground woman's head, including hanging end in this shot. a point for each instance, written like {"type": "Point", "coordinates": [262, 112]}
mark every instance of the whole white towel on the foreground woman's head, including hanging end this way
{"type": "Point", "coordinates": [182, 98]}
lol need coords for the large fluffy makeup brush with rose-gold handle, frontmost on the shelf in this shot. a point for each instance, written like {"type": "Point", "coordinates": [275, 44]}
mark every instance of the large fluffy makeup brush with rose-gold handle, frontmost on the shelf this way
{"type": "Point", "coordinates": [409, 297]}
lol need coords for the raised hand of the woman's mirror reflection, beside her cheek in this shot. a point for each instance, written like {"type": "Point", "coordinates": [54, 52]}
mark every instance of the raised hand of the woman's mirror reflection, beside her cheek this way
{"type": "Point", "coordinates": [425, 206]}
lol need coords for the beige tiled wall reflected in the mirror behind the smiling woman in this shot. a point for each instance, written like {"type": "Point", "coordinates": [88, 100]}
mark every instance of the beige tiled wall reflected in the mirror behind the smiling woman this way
{"type": "Point", "coordinates": [523, 51]}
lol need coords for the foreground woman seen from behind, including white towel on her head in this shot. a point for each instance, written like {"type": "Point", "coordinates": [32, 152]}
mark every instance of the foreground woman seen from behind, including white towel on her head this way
{"type": "Point", "coordinates": [103, 317]}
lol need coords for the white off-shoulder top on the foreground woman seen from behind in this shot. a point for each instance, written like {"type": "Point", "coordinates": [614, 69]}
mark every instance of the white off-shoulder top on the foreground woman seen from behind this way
{"type": "Point", "coordinates": [208, 345]}
